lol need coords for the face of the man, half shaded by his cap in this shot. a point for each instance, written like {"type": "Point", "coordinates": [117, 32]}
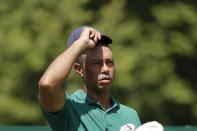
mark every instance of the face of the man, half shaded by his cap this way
{"type": "Point", "coordinates": [99, 68]}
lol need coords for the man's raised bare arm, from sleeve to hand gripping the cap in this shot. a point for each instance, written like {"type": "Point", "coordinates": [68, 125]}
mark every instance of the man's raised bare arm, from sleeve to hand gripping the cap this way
{"type": "Point", "coordinates": [51, 91]}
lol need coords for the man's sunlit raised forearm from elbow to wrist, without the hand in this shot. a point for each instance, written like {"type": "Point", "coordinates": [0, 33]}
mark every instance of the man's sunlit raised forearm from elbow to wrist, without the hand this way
{"type": "Point", "coordinates": [59, 69]}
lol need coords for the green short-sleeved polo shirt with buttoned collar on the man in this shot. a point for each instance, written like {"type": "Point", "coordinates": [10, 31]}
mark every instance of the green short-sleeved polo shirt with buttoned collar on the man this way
{"type": "Point", "coordinates": [80, 113]}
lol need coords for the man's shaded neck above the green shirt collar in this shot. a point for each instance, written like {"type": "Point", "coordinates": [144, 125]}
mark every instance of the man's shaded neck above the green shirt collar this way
{"type": "Point", "coordinates": [101, 96]}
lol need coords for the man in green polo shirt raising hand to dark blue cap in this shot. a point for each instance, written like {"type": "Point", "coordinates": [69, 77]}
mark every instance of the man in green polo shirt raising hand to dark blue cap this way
{"type": "Point", "coordinates": [91, 108]}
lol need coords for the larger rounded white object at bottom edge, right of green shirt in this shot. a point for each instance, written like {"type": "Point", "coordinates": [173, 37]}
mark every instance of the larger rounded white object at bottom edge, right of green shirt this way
{"type": "Point", "coordinates": [150, 126]}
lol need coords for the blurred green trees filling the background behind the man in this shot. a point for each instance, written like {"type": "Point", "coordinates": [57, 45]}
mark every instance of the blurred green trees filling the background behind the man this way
{"type": "Point", "coordinates": [154, 43]}
